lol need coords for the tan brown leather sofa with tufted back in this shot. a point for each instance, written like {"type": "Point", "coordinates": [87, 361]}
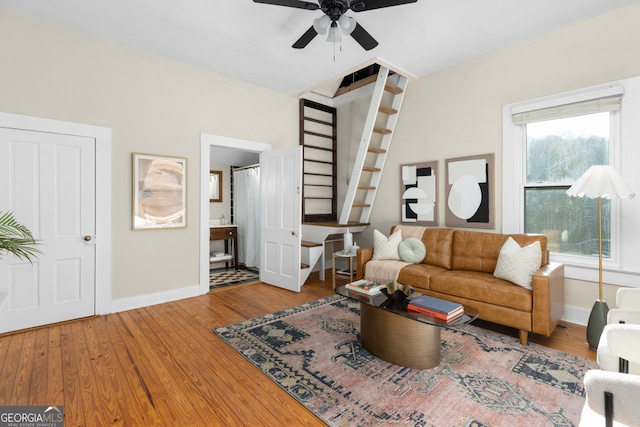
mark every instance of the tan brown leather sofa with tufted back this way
{"type": "Point", "coordinates": [459, 267]}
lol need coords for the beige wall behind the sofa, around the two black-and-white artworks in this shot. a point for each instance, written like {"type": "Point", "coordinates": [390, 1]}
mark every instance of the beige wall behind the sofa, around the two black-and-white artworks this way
{"type": "Point", "coordinates": [458, 112]}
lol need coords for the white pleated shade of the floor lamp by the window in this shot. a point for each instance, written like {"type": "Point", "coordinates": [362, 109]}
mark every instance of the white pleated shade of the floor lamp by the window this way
{"type": "Point", "coordinates": [600, 181]}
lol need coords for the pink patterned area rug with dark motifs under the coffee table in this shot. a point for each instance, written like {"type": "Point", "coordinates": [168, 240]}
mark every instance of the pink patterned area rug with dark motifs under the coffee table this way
{"type": "Point", "coordinates": [485, 378]}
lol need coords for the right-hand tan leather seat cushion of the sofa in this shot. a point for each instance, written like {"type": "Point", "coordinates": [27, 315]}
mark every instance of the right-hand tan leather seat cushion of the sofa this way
{"type": "Point", "coordinates": [482, 287]}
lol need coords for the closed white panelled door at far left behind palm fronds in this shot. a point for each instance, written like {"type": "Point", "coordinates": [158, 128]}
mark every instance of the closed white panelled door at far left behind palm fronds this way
{"type": "Point", "coordinates": [48, 181]}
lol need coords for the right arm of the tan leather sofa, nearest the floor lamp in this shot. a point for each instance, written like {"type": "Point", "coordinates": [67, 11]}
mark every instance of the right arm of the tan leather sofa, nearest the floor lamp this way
{"type": "Point", "coordinates": [548, 298]}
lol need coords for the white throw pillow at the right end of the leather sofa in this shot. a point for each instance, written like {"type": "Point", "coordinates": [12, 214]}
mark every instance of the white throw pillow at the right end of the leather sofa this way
{"type": "Point", "coordinates": [517, 264]}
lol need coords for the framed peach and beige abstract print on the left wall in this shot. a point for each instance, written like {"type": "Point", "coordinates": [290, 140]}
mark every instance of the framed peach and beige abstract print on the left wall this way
{"type": "Point", "coordinates": [159, 192]}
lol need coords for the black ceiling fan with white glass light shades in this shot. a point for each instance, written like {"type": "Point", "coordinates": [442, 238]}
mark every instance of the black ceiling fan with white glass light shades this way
{"type": "Point", "coordinates": [334, 18]}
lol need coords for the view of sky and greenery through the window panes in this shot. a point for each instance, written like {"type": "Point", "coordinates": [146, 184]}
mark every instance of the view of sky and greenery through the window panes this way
{"type": "Point", "coordinates": [558, 152]}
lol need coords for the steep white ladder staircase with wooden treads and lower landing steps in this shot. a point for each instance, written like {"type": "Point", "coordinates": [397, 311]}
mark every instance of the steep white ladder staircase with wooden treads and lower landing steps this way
{"type": "Point", "coordinates": [388, 94]}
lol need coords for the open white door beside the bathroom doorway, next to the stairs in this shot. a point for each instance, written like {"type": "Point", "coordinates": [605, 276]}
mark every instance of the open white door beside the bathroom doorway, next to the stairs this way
{"type": "Point", "coordinates": [281, 177]}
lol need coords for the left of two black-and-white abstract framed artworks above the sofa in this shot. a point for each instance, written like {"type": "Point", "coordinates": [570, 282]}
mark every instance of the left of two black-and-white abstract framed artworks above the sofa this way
{"type": "Point", "coordinates": [419, 193]}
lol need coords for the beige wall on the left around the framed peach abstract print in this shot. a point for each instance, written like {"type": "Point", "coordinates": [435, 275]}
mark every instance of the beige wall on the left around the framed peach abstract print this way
{"type": "Point", "coordinates": [153, 105]}
